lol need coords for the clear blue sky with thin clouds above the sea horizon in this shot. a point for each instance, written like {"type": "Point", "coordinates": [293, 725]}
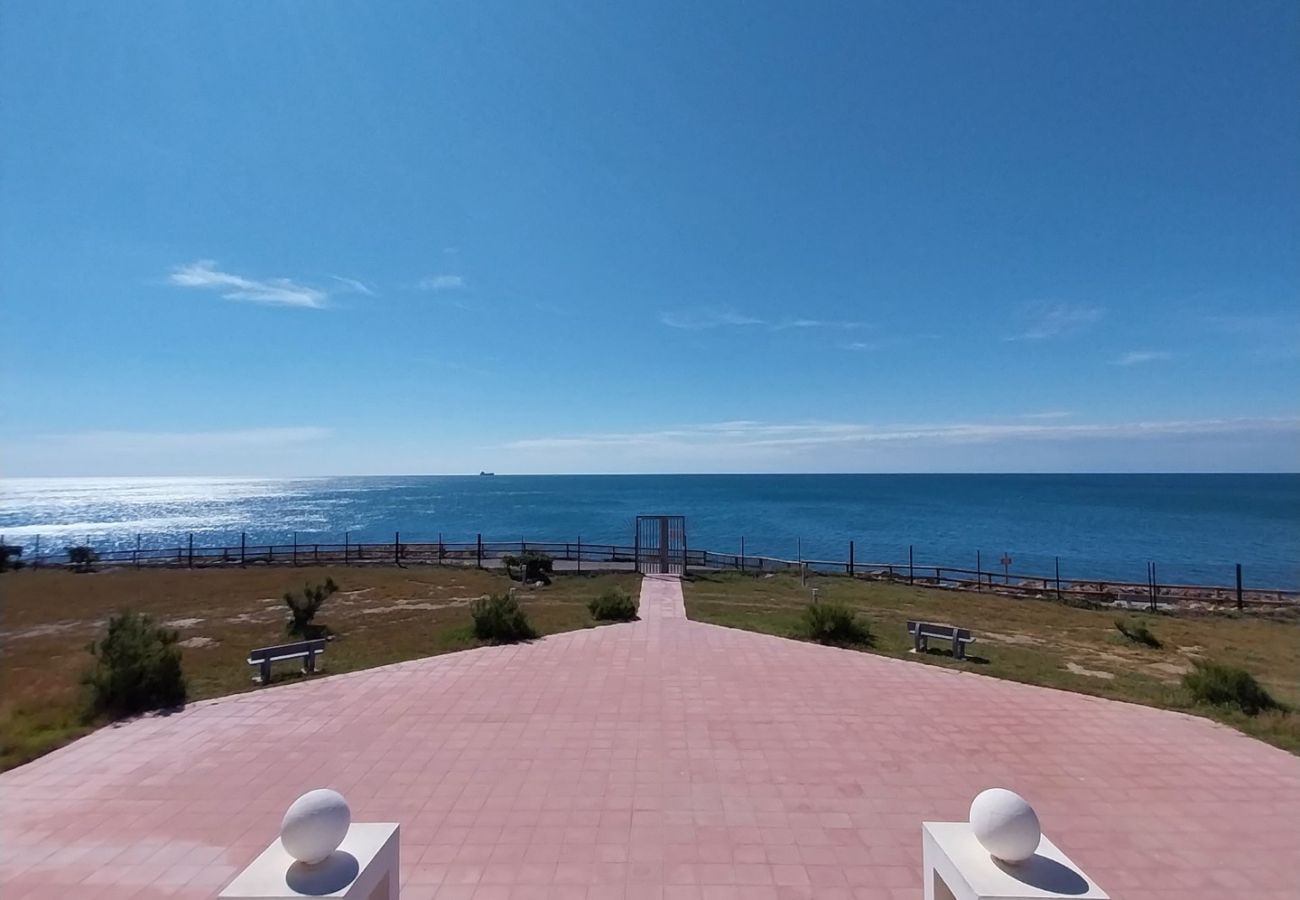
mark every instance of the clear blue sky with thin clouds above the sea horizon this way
{"type": "Point", "coordinates": [294, 239]}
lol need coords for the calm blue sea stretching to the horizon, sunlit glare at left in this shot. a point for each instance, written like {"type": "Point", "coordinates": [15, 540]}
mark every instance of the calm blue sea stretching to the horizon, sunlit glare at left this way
{"type": "Point", "coordinates": [1102, 526]}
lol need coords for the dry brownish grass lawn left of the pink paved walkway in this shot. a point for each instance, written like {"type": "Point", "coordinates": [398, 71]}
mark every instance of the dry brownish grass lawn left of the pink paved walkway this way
{"type": "Point", "coordinates": [380, 616]}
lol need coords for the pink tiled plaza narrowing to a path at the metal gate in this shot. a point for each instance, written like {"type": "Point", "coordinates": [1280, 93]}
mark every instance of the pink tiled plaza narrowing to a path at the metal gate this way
{"type": "Point", "coordinates": [664, 759]}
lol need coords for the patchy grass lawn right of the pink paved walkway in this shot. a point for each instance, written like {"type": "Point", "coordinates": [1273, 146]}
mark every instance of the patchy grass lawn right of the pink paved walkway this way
{"type": "Point", "coordinates": [1037, 642]}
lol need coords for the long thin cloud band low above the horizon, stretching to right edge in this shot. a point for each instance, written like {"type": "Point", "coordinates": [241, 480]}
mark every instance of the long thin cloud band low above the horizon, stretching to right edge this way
{"type": "Point", "coordinates": [752, 435]}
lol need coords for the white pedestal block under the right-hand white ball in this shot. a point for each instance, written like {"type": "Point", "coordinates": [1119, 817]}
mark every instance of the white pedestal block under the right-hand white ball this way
{"type": "Point", "coordinates": [959, 868]}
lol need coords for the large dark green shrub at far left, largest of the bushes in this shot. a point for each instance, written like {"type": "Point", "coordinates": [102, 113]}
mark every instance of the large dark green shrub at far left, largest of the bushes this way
{"type": "Point", "coordinates": [137, 668]}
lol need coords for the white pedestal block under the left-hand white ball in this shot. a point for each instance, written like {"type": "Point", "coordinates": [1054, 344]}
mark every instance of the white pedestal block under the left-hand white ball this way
{"type": "Point", "coordinates": [363, 868]}
